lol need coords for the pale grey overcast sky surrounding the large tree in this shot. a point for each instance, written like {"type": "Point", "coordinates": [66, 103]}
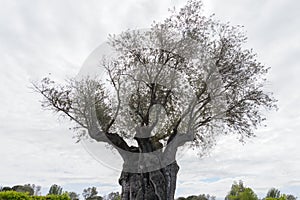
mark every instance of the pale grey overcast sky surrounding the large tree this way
{"type": "Point", "coordinates": [56, 36]}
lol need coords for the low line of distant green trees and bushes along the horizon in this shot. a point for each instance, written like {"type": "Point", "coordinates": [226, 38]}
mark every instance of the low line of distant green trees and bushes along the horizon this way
{"type": "Point", "coordinates": [33, 192]}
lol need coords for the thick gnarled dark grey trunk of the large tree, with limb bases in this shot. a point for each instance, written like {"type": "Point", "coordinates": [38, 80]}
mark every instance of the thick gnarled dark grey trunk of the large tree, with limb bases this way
{"type": "Point", "coordinates": [150, 169]}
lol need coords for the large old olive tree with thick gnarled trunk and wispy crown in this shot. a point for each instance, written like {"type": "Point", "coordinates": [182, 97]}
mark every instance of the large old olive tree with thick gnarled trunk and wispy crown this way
{"type": "Point", "coordinates": [181, 82]}
